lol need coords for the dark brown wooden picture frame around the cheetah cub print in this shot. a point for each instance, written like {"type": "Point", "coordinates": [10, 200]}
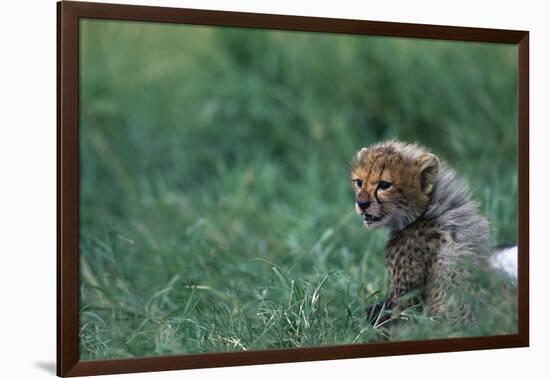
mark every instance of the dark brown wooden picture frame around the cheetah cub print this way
{"type": "Point", "coordinates": [68, 15]}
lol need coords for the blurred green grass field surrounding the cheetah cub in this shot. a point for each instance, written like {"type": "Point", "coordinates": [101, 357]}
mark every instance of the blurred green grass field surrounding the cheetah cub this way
{"type": "Point", "coordinates": [215, 203]}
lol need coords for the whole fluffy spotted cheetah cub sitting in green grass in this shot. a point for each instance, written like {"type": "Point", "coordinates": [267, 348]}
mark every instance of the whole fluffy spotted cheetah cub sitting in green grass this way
{"type": "Point", "coordinates": [436, 234]}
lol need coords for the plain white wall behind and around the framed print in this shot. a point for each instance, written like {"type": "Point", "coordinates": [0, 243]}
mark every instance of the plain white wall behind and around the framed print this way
{"type": "Point", "coordinates": [27, 138]}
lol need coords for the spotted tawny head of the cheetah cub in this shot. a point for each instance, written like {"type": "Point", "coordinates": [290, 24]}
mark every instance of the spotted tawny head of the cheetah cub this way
{"type": "Point", "coordinates": [393, 183]}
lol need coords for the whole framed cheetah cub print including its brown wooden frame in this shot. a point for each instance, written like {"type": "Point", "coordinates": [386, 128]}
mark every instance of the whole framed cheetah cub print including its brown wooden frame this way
{"type": "Point", "coordinates": [238, 188]}
